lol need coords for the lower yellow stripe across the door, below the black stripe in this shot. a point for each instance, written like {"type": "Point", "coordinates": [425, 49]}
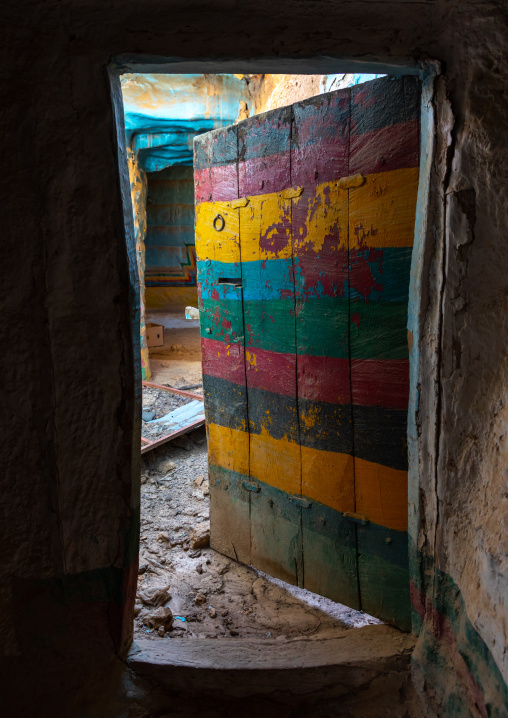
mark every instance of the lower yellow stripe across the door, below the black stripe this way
{"type": "Point", "coordinates": [327, 477]}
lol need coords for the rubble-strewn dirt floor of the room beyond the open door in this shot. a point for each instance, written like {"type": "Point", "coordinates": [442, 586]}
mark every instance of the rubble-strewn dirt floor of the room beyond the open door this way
{"type": "Point", "coordinates": [197, 592]}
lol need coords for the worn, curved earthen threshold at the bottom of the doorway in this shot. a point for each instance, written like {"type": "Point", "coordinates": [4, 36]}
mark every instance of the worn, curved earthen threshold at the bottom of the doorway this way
{"type": "Point", "coordinates": [242, 667]}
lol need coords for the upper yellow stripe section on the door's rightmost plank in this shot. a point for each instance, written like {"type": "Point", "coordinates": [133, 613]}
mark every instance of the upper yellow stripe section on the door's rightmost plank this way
{"type": "Point", "coordinates": [382, 211]}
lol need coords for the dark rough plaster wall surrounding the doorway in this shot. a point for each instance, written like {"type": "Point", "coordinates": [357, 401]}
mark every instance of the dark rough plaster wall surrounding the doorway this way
{"type": "Point", "coordinates": [70, 360]}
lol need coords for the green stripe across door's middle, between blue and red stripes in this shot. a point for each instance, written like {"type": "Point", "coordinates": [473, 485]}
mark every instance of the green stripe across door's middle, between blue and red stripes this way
{"type": "Point", "coordinates": [320, 328]}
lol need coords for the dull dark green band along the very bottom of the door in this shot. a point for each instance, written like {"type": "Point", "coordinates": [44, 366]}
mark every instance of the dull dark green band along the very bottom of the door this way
{"type": "Point", "coordinates": [362, 566]}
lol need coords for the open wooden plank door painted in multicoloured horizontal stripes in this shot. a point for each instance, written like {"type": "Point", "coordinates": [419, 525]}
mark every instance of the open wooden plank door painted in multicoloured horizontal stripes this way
{"type": "Point", "coordinates": [304, 231]}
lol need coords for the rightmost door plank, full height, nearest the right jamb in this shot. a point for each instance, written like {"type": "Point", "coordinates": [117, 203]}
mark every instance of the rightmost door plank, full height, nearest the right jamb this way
{"type": "Point", "coordinates": [384, 148]}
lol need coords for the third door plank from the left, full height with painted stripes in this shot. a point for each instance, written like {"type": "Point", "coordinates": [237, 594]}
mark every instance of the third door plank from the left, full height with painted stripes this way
{"type": "Point", "coordinates": [320, 249]}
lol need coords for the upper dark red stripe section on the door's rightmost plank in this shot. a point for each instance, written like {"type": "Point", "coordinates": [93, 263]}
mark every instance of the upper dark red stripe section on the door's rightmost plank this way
{"type": "Point", "coordinates": [388, 148]}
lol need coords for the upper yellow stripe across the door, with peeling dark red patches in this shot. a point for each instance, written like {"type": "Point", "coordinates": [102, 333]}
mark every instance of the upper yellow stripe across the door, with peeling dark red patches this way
{"type": "Point", "coordinates": [381, 213]}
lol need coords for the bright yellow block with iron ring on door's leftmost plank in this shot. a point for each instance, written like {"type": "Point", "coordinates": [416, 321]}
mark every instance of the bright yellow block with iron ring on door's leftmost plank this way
{"type": "Point", "coordinates": [223, 245]}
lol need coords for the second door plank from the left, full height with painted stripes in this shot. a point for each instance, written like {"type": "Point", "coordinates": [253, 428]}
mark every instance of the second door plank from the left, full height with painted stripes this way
{"type": "Point", "coordinates": [268, 297]}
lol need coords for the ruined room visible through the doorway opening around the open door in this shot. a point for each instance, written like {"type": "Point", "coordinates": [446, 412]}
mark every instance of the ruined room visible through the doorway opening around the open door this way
{"type": "Point", "coordinates": [186, 588]}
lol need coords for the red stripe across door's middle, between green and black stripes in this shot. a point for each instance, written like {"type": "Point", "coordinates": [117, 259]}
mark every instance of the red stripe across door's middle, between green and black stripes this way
{"type": "Point", "coordinates": [376, 382]}
